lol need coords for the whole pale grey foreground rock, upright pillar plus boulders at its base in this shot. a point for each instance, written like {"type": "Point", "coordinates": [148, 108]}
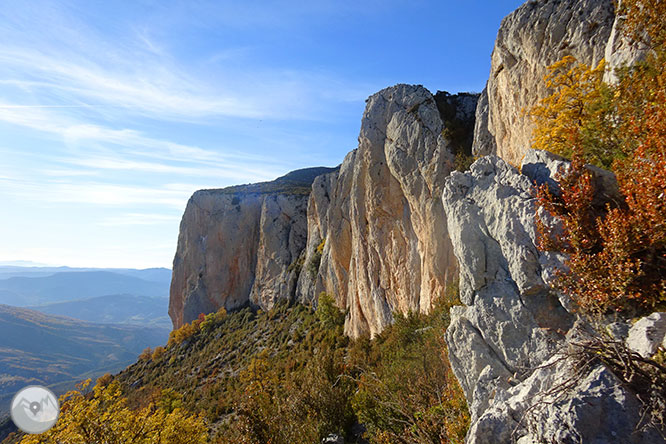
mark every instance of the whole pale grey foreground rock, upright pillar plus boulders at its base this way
{"type": "Point", "coordinates": [505, 342]}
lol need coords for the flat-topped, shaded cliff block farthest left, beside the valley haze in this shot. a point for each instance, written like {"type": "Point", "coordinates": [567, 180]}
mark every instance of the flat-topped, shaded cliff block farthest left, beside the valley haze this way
{"type": "Point", "coordinates": [236, 244]}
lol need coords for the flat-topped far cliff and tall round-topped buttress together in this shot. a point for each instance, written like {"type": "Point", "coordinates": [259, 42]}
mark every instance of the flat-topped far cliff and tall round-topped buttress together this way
{"type": "Point", "coordinates": [372, 234]}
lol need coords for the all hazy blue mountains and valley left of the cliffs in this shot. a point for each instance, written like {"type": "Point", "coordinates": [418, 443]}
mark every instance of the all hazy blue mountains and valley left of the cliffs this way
{"type": "Point", "coordinates": [59, 325]}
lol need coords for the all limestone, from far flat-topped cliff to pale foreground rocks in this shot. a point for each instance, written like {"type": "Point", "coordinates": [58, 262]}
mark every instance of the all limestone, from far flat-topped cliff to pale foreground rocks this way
{"type": "Point", "coordinates": [394, 224]}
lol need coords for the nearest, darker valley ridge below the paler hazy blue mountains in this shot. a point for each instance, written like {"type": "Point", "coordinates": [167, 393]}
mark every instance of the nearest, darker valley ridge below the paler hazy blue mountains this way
{"type": "Point", "coordinates": [57, 351]}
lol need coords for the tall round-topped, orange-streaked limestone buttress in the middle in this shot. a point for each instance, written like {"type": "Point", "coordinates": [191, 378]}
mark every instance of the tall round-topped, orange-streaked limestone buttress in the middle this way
{"type": "Point", "coordinates": [385, 245]}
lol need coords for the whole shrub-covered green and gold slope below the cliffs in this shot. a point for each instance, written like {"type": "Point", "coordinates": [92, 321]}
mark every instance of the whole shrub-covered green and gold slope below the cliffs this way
{"type": "Point", "coordinates": [289, 375]}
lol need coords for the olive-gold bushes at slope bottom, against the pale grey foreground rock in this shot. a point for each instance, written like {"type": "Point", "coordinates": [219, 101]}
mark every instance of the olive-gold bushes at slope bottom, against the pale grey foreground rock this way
{"type": "Point", "coordinates": [406, 389]}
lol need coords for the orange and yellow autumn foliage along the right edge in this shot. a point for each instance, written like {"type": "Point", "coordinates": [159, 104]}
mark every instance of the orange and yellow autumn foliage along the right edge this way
{"type": "Point", "coordinates": [617, 252]}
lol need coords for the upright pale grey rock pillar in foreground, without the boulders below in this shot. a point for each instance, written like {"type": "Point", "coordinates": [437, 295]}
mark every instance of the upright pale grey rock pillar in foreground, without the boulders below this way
{"type": "Point", "coordinates": [511, 320]}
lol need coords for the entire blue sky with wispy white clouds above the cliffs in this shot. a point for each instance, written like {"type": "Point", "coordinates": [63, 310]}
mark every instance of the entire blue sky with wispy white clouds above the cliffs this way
{"type": "Point", "coordinates": [112, 113]}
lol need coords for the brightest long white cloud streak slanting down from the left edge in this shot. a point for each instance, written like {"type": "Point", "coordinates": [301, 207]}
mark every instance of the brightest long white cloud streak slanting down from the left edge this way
{"type": "Point", "coordinates": [152, 91]}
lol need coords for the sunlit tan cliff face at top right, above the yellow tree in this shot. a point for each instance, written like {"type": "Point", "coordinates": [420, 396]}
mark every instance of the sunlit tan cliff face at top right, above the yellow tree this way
{"type": "Point", "coordinates": [536, 35]}
